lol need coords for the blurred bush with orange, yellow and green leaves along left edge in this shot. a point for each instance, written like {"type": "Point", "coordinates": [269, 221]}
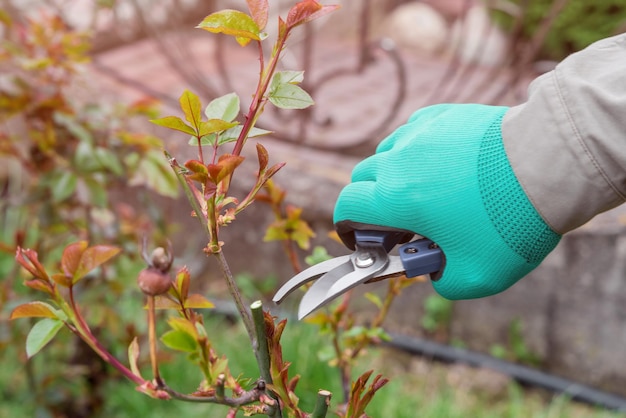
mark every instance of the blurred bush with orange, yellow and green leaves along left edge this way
{"type": "Point", "coordinates": [66, 158]}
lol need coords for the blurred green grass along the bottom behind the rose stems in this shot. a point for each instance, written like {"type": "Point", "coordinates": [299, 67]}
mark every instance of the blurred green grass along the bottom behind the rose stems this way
{"type": "Point", "coordinates": [417, 388]}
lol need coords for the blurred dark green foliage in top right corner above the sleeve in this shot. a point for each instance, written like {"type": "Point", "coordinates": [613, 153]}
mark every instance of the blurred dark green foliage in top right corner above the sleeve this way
{"type": "Point", "coordinates": [579, 24]}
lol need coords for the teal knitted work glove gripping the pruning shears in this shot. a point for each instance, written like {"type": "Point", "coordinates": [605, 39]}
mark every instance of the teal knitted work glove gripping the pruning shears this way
{"type": "Point", "coordinates": [445, 175]}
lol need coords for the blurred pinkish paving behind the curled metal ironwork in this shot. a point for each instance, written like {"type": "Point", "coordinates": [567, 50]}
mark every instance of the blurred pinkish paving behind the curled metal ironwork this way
{"type": "Point", "coordinates": [352, 105]}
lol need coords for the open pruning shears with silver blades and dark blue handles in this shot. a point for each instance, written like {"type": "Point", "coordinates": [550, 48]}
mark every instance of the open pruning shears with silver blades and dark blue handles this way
{"type": "Point", "coordinates": [369, 262]}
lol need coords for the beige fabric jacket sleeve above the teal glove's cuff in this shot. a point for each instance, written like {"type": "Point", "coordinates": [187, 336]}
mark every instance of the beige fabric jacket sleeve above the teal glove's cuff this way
{"type": "Point", "coordinates": [567, 143]}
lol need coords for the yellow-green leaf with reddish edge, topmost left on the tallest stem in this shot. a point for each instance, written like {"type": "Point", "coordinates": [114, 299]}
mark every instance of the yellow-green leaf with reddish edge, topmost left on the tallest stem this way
{"type": "Point", "coordinates": [233, 23]}
